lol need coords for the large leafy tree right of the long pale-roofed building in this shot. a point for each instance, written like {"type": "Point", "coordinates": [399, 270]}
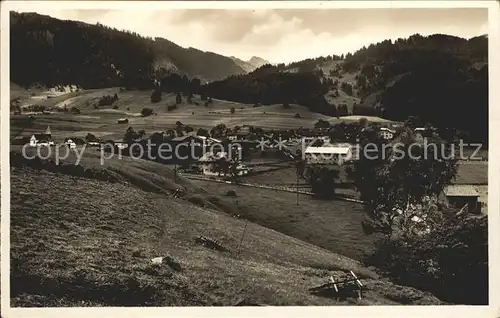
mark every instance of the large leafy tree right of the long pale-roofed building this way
{"type": "Point", "coordinates": [394, 179]}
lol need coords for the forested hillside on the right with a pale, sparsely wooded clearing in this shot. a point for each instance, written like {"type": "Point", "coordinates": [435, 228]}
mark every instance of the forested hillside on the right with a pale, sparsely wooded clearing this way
{"type": "Point", "coordinates": [441, 79]}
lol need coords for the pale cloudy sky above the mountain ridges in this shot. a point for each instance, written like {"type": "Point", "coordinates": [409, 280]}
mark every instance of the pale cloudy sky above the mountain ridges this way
{"type": "Point", "coordinates": [284, 35]}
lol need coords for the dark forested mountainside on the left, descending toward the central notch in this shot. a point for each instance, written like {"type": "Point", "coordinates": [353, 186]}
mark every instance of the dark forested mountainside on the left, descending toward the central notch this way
{"type": "Point", "coordinates": [50, 51]}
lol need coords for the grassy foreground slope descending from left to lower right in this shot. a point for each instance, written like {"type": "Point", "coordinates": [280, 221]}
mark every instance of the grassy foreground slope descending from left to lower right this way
{"type": "Point", "coordinates": [79, 241]}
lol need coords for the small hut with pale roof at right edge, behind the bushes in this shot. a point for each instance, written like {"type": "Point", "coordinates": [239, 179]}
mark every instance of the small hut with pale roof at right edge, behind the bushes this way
{"type": "Point", "coordinates": [459, 196]}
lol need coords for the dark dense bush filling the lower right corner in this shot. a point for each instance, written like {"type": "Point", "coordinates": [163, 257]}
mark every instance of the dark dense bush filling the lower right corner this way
{"type": "Point", "coordinates": [453, 255]}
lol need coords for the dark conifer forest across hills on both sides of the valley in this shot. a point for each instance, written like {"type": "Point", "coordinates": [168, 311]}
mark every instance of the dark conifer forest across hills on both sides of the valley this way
{"type": "Point", "coordinates": [441, 79]}
